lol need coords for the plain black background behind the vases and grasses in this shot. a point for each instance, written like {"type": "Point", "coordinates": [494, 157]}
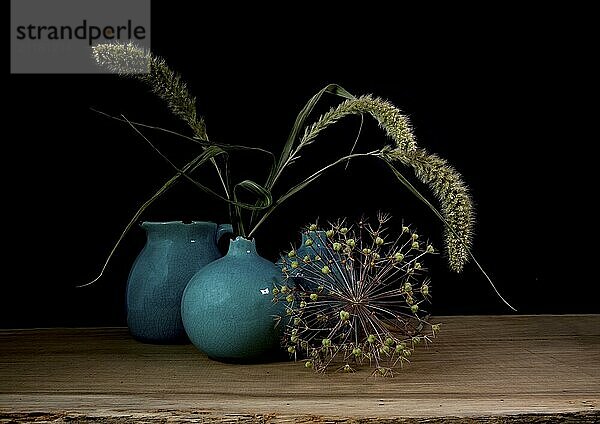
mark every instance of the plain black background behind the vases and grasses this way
{"type": "Point", "coordinates": [503, 97]}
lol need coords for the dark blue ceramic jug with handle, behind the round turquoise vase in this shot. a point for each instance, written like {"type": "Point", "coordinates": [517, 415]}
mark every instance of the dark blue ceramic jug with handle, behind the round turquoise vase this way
{"type": "Point", "coordinates": [173, 253]}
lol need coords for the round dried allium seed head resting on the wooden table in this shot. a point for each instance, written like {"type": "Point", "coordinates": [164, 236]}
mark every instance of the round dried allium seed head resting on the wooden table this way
{"type": "Point", "coordinates": [350, 307]}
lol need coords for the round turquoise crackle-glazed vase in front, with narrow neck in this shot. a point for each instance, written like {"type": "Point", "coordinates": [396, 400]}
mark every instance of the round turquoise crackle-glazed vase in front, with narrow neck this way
{"type": "Point", "coordinates": [228, 310]}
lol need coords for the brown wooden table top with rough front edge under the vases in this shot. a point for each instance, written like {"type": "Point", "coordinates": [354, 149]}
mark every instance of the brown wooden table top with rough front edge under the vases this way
{"type": "Point", "coordinates": [511, 368]}
